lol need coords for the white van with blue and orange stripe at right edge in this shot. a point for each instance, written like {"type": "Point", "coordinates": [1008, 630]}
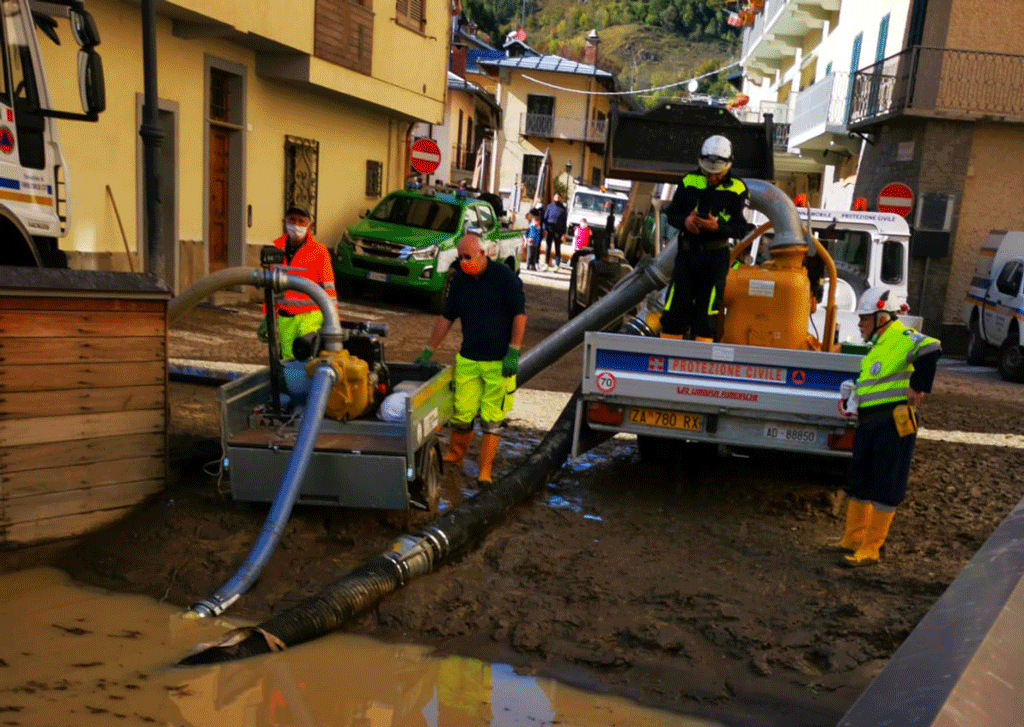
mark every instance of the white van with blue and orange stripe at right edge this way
{"type": "Point", "coordinates": [995, 307]}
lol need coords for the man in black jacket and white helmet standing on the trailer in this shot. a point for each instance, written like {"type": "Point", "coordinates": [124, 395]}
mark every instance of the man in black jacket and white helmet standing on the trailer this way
{"type": "Point", "coordinates": [708, 209]}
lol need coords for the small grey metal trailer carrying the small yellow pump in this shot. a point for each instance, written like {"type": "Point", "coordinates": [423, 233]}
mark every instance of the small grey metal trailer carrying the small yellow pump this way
{"type": "Point", "coordinates": [364, 463]}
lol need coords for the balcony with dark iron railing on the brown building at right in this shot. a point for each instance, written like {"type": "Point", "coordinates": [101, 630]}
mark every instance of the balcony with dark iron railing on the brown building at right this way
{"type": "Point", "coordinates": [945, 83]}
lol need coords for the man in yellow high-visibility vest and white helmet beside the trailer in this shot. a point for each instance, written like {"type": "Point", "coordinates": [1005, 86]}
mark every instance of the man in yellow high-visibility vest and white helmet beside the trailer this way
{"type": "Point", "coordinates": [895, 375]}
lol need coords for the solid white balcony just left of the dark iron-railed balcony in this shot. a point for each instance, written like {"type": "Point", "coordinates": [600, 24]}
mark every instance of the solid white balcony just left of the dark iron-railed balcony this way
{"type": "Point", "coordinates": [820, 117]}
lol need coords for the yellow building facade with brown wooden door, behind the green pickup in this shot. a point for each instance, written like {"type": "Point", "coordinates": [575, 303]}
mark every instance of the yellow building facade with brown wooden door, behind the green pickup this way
{"type": "Point", "coordinates": [262, 105]}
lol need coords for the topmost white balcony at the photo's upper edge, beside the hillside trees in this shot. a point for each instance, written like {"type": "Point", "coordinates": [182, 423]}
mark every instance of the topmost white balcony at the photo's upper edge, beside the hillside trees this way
{"type": "Point", "coordinates": [773, 42]}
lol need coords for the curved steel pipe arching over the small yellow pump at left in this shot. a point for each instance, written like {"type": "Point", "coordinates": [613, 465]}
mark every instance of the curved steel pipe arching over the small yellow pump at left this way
{"type": "Point", "coordinates": [276, 280]}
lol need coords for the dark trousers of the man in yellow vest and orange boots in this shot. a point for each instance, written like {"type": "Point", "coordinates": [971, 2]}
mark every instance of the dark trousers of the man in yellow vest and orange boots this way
{"type": "Point", "coordinates": [881, 462]}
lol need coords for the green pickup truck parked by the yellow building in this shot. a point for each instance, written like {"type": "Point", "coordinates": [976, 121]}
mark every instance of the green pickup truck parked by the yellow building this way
{"type": "Point", "coordinates": [409, 240]}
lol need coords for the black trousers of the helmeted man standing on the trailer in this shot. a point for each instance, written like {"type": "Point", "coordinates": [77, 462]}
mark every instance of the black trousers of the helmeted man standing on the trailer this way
{"type": "Point", "coordinates": [697, 276]}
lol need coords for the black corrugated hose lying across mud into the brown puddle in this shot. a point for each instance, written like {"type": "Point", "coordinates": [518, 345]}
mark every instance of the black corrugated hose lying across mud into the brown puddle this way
{"type": "Point", "coordinates": [409, 558]}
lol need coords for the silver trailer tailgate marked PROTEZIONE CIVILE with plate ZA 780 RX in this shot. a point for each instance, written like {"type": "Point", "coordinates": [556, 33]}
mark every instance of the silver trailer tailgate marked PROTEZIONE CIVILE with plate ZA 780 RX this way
{"type": "Point", "coordinates": [732, 395]}
